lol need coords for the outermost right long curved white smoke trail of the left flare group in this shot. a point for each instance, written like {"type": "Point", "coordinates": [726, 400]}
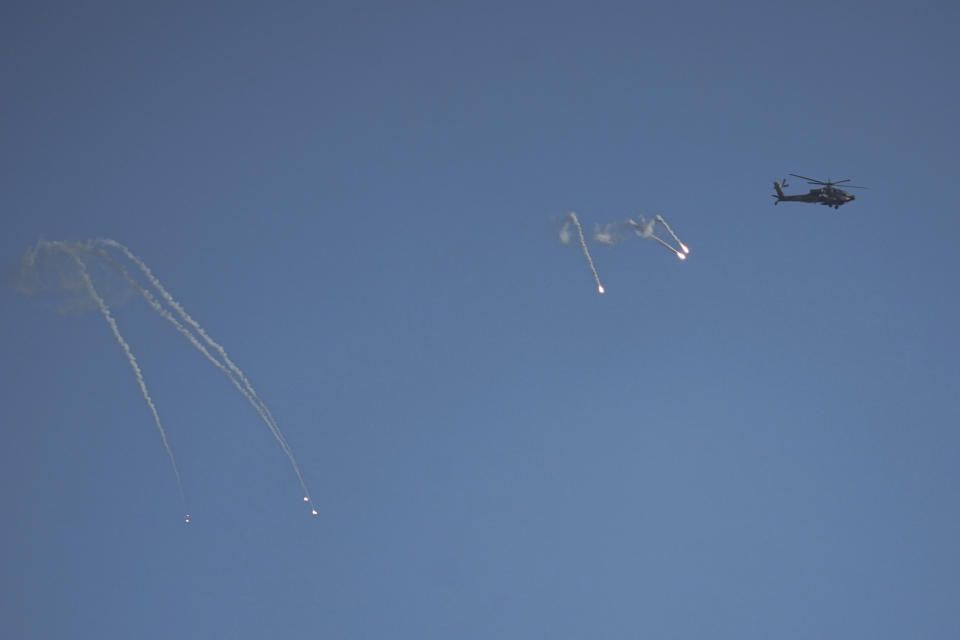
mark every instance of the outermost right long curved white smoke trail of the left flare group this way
{"type": "Point", "coordinates": [247, 388]}
